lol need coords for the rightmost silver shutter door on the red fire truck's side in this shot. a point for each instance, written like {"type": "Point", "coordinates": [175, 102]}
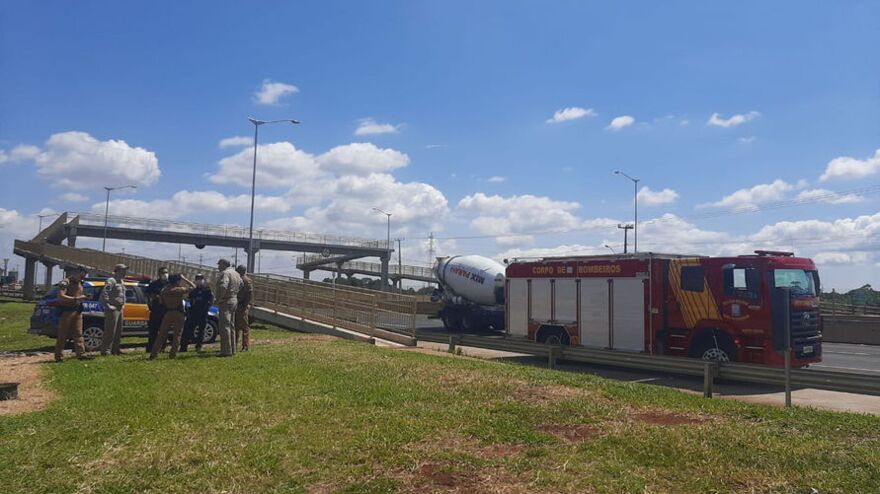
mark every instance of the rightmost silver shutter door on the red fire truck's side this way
{"type": "Point", "coordinates": [629, 314]}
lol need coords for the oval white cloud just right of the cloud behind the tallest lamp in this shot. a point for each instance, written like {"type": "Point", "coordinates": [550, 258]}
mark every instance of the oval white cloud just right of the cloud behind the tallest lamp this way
{"type": "Point", "coordinates": [361, 158]}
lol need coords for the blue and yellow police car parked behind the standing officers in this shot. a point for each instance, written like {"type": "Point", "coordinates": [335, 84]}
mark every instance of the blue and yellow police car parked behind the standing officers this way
{"type": "Point", "coordinates": [135, 316]}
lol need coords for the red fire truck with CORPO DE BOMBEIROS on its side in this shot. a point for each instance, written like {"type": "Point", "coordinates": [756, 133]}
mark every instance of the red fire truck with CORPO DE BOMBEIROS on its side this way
{"type": "Point", "coordinates": [722, 308]}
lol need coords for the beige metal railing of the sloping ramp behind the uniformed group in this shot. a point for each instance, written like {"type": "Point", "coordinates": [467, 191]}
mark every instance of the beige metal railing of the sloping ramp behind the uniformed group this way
{"type": "Point", "coordinates": [352, 308]}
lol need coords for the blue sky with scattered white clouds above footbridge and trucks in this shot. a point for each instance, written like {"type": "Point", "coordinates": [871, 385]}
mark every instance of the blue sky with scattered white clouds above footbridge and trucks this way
{"type": "Point", "coordinates": [95, 92]}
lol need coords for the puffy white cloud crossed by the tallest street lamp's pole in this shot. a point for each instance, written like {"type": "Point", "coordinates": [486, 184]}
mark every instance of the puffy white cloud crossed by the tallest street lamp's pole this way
{"type": "Point", "coordinates": [279, 164]}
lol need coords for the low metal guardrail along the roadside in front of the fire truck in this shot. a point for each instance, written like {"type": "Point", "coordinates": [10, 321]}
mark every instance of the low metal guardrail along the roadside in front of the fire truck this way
{"type": "Point", "coordinates": [849, 382]}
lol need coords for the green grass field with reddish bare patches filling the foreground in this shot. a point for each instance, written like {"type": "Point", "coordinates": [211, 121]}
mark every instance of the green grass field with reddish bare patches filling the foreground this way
{"type": "Point", "coordinates": [307, 414]}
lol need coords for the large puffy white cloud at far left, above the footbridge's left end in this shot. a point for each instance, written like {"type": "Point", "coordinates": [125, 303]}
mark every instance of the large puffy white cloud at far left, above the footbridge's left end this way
{"type": "Point", "coordinates": [77, 160]}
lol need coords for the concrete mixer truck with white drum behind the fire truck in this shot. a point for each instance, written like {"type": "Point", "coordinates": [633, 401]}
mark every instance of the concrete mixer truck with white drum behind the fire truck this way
{"type": "Point", "coordinates": [472, 291]}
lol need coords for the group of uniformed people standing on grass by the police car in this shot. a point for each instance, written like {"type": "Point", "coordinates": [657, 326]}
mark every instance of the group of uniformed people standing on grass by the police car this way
{"type": "Point", "coordinates": [169, 313]}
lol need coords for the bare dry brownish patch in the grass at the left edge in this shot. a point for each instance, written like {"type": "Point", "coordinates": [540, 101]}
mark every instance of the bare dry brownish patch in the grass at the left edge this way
{"type": "Point", "coordinates": [28, 372]}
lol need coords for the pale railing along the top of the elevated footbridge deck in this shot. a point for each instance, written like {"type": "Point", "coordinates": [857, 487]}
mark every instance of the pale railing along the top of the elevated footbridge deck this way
{"type": "Point", "coordinates": [233, 231]}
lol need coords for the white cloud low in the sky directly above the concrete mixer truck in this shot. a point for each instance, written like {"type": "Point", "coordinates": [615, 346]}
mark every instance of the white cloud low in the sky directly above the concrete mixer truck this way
{"type": "Point", "coordinates": [512, 218]}
